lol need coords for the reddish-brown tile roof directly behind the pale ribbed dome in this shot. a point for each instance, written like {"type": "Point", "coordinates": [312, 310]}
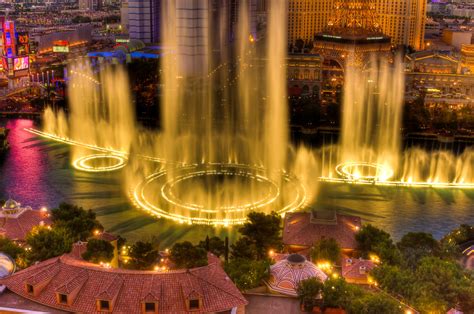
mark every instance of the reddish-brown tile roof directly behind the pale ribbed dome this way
{"type": "Point", "coordinates": [303, 229]}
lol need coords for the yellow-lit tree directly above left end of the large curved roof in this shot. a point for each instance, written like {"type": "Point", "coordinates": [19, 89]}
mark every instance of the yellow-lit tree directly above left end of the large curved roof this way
{"type": "Point", "coordinates": [46, 243]}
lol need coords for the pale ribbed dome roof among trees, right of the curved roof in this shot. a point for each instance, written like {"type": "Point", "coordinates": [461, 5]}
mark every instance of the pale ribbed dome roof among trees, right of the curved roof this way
{"type": "Point", "coordinates": [286, 274]}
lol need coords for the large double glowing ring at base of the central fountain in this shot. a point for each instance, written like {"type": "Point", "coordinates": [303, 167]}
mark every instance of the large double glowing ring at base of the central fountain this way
{"type": "Point", "coordinates": [158, 194]}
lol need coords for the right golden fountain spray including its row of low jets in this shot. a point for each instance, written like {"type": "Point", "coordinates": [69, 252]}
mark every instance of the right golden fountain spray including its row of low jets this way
{"type": "Point", "coordinates": [369, 149]}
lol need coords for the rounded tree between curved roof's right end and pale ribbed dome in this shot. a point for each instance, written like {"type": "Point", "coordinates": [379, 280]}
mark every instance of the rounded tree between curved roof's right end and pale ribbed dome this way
{"type": "Point", "coordinates": [247, 274]}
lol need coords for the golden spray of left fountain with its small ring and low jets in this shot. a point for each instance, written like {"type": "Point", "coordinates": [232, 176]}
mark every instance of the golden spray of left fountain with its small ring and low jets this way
{"type": "Point", "coordinates": [101, 118]}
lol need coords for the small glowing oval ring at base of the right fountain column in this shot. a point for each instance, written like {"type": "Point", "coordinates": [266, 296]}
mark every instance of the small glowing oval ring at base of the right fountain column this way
{"type": "Point", "coordinates": [364, 171]}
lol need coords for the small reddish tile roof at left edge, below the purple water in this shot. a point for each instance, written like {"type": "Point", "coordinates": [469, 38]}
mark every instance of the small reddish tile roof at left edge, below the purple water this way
{"type": "Point", "coordinates": [18, 228]}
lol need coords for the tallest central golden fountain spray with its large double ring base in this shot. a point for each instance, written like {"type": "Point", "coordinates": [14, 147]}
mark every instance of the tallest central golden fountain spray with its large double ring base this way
{"type": "Point", "coordinates": [224, 124]}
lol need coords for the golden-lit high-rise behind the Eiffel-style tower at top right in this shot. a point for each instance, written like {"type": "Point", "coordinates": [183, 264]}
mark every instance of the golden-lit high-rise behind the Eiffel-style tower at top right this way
{"type": "Point", "coordinates": [402, 20]}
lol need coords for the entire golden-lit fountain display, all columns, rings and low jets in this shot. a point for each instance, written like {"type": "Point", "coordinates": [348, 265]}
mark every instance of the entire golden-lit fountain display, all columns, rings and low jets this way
{"type": "Point", "coordinates": [222, 150]}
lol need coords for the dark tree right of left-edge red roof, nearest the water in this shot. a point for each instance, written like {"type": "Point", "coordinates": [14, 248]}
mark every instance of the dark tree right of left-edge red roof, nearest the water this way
{"type": "Point", "coordinates": [79, 222]}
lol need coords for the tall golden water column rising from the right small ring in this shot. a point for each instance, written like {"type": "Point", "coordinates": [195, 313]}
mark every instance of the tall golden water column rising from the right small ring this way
{"type": "Point", "coordinates": [371, 119]}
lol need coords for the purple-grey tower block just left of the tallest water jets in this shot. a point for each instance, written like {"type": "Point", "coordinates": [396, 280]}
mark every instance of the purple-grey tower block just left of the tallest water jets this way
{"type": "Point", "coordinates": [144, 20]}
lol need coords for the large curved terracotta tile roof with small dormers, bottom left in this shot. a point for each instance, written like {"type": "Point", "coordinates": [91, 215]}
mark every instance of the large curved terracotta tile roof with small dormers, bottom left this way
{"type": "Point", "coordinates": [129, 287]}
